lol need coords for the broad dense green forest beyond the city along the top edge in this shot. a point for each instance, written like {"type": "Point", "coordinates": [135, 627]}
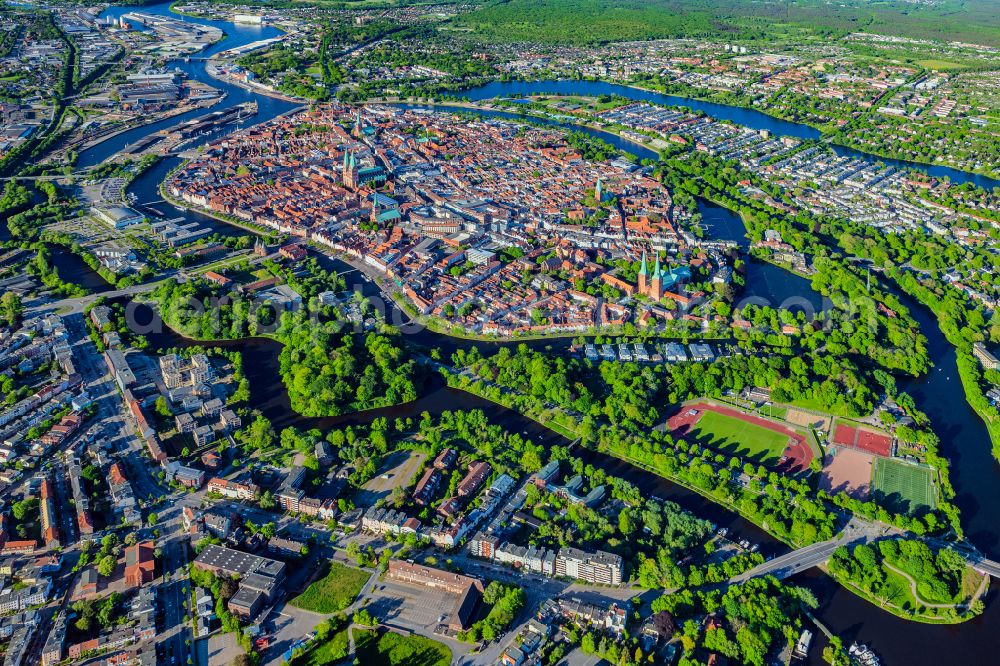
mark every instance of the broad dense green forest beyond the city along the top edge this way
{"type": "Point", "coordinates": [602, 21]}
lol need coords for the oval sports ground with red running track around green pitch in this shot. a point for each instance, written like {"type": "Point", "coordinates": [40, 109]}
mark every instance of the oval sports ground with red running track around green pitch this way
{"type": "Point", "coordinates": [742, 434]}
